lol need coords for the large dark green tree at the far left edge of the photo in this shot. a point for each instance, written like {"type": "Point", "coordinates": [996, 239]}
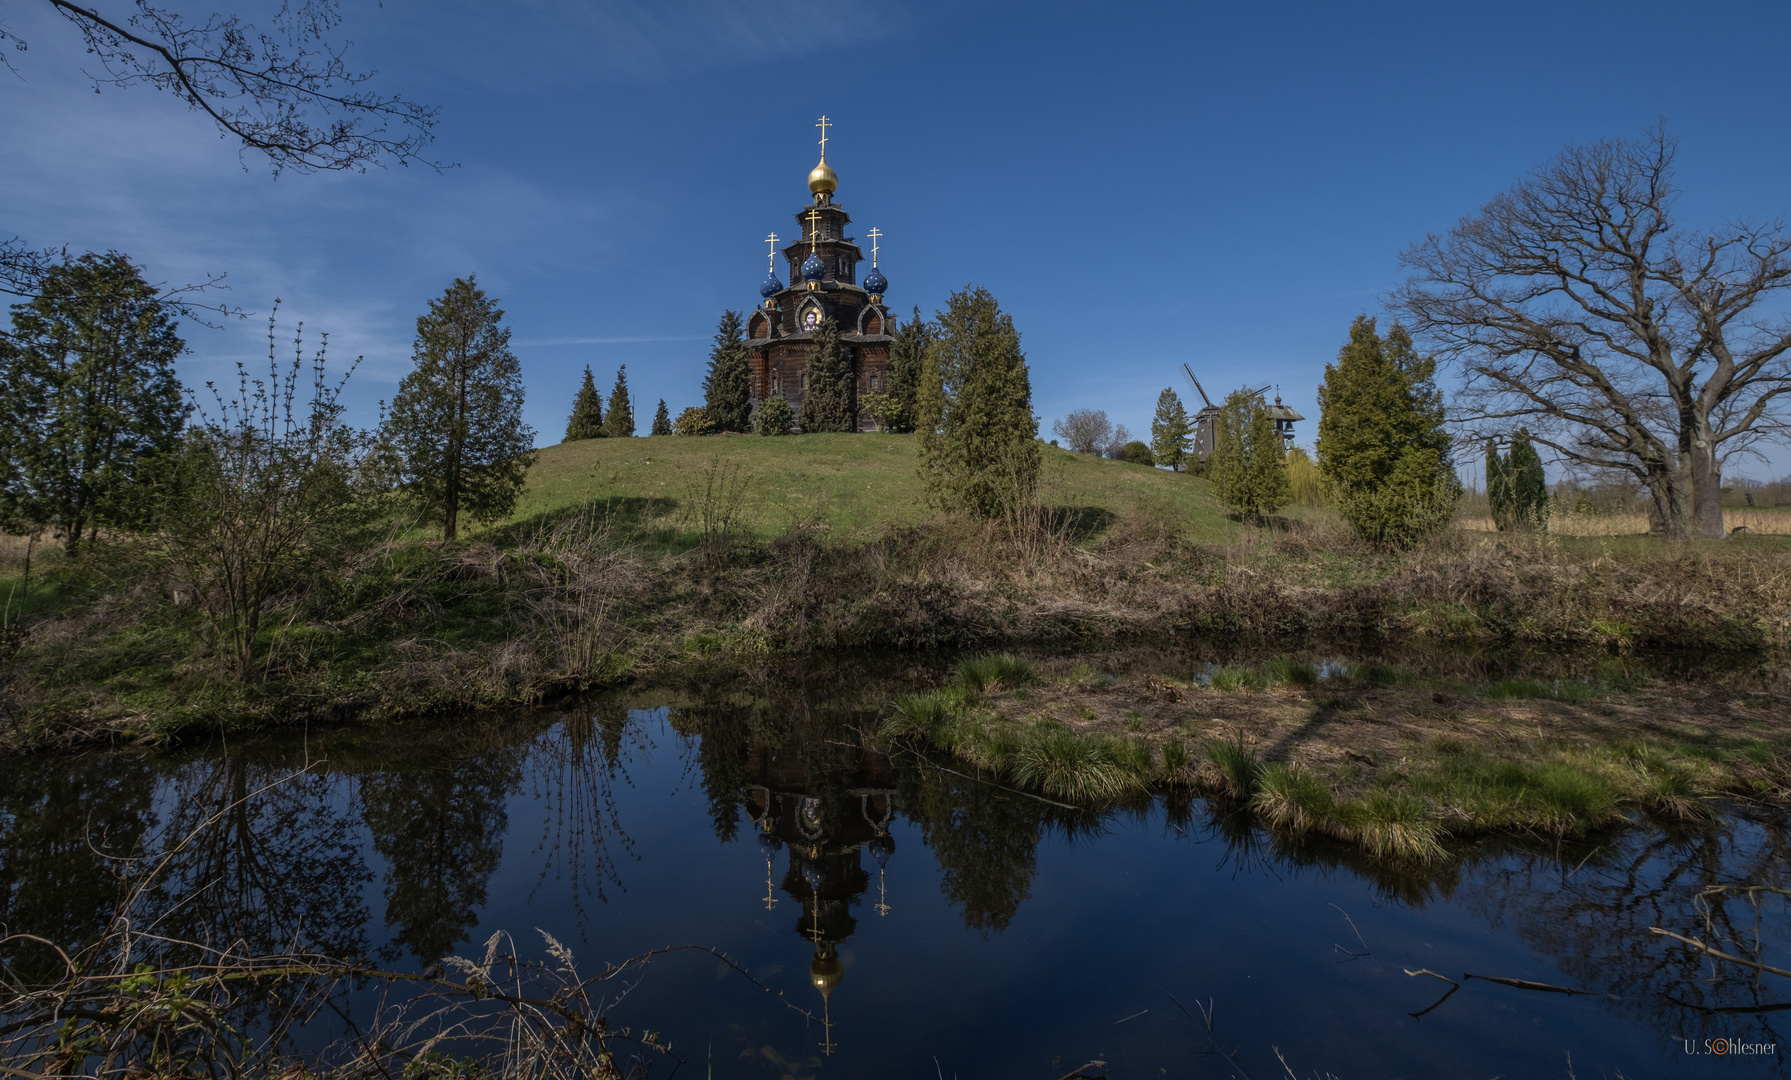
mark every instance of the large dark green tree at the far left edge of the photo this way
{"type": "Point", "coordinates": [89, 399]}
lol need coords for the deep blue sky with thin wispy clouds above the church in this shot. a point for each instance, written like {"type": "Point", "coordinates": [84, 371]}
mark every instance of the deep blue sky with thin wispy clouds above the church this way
{"type": "Point", "coordinates": [1140, 185]}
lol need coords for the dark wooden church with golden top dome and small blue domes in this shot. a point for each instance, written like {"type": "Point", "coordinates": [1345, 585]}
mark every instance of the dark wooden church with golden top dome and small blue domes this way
{"type": "Point", "coordinates": [823, 266]}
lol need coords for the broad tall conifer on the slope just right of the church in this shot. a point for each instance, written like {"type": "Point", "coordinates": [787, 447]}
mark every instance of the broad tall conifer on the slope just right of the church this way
{"type": "Point", "coordinates": [973, 411]}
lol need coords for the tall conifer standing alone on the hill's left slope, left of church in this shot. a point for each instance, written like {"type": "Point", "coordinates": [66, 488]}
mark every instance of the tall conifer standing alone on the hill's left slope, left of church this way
{"type": "Point", "coordinates": [458, 420]}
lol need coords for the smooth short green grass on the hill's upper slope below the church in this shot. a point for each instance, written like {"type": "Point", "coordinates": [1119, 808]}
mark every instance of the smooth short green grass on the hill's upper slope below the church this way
{"type": "Point", "coordinates": [857, 484]}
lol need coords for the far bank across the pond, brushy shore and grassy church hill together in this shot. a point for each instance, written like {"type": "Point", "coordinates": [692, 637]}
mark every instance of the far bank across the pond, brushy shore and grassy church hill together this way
{"type": "Point", "coordinates": [637, 556]}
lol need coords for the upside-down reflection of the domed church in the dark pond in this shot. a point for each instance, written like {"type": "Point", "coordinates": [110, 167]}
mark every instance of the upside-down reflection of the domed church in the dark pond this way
{"type": "Point", "coordinates": [825, 828]}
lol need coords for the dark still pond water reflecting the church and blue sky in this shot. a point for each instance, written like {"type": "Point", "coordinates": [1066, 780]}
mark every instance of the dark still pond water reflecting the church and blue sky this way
{"type": "Point", "coordinates": [918, 923]}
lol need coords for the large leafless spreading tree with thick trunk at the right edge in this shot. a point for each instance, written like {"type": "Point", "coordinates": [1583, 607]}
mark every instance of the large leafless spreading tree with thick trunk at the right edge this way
{"type": "Point", "coordinates": [1575, 305]}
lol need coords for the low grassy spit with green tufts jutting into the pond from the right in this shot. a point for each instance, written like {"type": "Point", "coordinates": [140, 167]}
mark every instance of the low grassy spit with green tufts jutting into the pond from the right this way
{"type": "Point", "coordinates": [1369, 753]}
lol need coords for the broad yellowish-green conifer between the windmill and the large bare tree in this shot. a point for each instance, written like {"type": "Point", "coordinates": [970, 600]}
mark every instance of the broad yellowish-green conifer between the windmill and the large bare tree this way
{"type": "Point", "coordinates": [1382, 441]}
